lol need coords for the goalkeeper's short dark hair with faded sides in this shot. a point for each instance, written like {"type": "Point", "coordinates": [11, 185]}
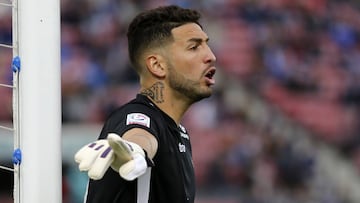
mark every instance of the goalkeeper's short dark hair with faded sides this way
{"type": "Point", "coordinates": [152, 28]}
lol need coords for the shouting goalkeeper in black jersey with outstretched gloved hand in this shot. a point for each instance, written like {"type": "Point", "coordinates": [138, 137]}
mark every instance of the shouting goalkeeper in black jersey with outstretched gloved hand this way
{"type": "Point", "coordinates": [143, 154]}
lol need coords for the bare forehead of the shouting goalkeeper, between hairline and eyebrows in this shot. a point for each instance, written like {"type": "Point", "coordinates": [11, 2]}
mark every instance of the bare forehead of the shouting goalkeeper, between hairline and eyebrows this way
{"type": "Point", "coordinates": [189, 31]}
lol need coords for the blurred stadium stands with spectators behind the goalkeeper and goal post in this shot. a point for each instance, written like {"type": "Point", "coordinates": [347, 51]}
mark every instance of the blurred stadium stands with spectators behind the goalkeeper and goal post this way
{"type": "Point", "coordinates": [283, 125]}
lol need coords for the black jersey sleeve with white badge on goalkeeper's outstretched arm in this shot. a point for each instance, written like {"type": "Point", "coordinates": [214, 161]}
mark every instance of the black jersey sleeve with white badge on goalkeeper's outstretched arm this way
{"type": "Point", "coordinates": [132, 116]}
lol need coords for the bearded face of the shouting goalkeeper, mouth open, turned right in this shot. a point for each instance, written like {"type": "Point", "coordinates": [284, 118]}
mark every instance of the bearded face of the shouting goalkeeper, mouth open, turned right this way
{"type": "Point", "coordinates": [190, 63]}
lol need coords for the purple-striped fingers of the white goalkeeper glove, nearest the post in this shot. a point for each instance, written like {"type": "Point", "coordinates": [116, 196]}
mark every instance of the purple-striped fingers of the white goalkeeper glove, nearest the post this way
{"type": "Point", "coordinates": [95, 158]}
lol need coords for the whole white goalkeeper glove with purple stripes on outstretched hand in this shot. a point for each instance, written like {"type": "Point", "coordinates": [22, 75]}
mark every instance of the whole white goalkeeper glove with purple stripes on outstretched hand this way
{"type": "Point", "coordinates": [125, 157]}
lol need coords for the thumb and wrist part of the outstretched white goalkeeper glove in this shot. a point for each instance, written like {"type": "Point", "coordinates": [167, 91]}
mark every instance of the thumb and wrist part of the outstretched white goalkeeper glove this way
{"type": "Point", "coordinates": [130, 159]}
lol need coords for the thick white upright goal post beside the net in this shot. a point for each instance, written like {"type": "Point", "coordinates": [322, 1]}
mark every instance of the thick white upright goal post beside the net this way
{"type": "Point", "coordinates": [37, 39]}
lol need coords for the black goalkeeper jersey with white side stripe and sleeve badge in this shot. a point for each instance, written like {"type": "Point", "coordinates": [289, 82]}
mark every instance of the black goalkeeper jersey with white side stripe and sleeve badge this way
{"type": "Point", "coordinates": [171, 180]}
